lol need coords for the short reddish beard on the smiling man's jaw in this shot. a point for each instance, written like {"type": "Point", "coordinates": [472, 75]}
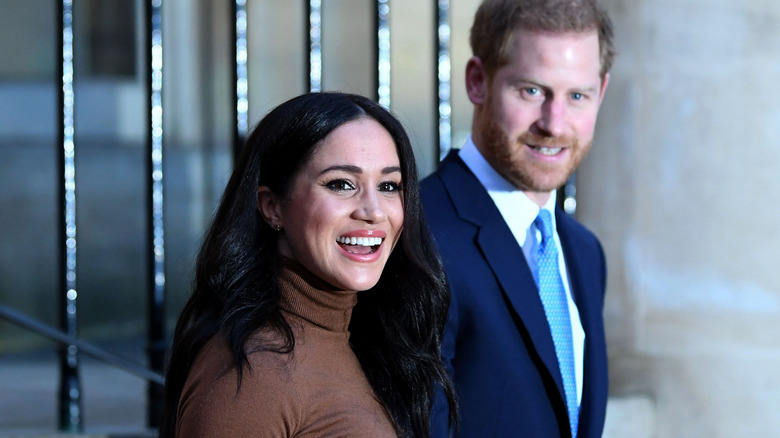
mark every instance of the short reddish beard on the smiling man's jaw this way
{"type": "Point", "coordinates": [512, 161]}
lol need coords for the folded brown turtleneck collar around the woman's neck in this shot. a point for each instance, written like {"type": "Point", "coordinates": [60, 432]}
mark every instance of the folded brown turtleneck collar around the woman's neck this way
{"type": "Point", "coordinates": [309, 297]}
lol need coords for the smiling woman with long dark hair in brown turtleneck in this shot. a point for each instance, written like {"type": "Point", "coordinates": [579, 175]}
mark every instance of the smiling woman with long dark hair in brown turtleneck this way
{"type": "Point", "coordinates": [275, 340]}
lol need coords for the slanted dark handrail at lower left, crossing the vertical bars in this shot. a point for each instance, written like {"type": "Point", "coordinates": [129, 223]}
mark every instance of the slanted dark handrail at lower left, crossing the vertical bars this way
{"type": "Point", "coordinates": [63, 338]}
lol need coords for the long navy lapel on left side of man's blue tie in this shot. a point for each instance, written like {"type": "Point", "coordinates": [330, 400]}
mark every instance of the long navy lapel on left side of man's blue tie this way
{"type": "Point", "coordinates": [504, 256]}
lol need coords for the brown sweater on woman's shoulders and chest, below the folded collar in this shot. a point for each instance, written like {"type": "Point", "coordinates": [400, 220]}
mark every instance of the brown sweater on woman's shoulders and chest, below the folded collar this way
{"type": "Point", "coordinates": [315, 388]}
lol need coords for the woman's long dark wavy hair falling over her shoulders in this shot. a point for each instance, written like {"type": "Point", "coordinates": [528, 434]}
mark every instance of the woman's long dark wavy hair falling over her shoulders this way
{"type": "Point", "coordinates": [396, 327]}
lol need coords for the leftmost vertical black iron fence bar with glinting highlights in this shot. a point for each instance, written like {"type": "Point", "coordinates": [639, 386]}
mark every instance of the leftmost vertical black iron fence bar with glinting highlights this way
{"type": "Point", "coordinates": [69, 408]}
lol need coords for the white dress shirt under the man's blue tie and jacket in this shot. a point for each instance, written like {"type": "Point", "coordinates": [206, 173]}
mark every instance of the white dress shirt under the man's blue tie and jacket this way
{"type": "Point", "coordinates": [519, 213]}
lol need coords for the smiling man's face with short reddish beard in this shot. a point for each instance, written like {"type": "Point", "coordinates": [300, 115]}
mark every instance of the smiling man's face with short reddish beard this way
{"type": "Point", "coordinates": [536, 120]}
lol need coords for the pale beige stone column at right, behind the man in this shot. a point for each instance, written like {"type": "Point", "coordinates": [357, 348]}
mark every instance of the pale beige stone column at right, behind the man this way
{"type": "Point", "coordinates": [682, 188]}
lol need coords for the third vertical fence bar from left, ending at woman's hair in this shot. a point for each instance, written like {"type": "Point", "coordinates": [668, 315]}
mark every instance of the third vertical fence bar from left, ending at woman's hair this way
{"type": "Point", "coordinates": [240, 76]}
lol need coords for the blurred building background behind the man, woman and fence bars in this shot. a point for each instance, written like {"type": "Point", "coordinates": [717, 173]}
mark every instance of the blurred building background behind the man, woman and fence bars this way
{"type": "Point", "coordinates": [680, 186]}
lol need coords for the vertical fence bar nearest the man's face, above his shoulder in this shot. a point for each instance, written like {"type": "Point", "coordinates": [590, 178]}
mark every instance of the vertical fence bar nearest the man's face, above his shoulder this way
{"type": "Point", "coordinates": [443, 75]}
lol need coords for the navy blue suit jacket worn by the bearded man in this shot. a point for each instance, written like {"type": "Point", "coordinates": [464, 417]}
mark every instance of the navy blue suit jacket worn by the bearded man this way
{"type": "Point", "coordinates": [497, 343]}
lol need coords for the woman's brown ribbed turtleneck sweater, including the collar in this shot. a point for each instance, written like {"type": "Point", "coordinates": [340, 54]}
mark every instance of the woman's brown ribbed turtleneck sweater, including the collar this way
{"type": "Point", "coordinates": [317, 390]}
